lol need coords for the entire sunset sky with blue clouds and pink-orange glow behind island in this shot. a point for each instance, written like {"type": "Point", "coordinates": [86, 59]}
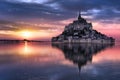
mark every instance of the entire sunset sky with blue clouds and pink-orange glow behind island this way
{"type": "Point", "coordinates": [43, 19]}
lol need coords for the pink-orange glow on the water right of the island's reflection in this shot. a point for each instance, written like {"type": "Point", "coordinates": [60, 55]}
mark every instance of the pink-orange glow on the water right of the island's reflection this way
{"type": "Point", "coordinates": [107, 55]}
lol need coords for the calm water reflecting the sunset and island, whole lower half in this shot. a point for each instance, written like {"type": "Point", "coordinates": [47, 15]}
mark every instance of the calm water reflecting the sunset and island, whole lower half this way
{"type": "Point", "coordinates": [46, 61]}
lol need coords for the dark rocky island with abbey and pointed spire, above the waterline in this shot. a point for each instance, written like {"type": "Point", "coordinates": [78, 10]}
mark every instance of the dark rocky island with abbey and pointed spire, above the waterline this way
{"type": "Point", "coordinates": [82, 31]}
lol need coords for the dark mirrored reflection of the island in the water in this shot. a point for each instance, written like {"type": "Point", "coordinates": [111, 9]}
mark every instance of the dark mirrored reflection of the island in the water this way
{"type": "Point", "coordinates": [81, 54]}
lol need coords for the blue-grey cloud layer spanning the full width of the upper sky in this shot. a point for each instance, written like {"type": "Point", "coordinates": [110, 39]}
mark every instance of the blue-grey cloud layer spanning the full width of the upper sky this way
{"type": "Point", "coordinates": [60, 9]}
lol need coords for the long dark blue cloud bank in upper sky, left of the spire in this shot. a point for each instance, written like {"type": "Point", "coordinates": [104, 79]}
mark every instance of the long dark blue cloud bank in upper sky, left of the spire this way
{"type": "Point", "coordinates": [31, 11]}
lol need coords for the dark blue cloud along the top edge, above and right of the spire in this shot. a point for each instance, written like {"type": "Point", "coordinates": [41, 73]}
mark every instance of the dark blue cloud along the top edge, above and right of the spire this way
{"type": "Point", "coordinates": [83, 5]}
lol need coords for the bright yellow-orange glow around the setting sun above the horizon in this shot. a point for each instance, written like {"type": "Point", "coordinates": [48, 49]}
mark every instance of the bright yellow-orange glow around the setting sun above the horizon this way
{"type": "Point", "coordinates": [35, 34]}
